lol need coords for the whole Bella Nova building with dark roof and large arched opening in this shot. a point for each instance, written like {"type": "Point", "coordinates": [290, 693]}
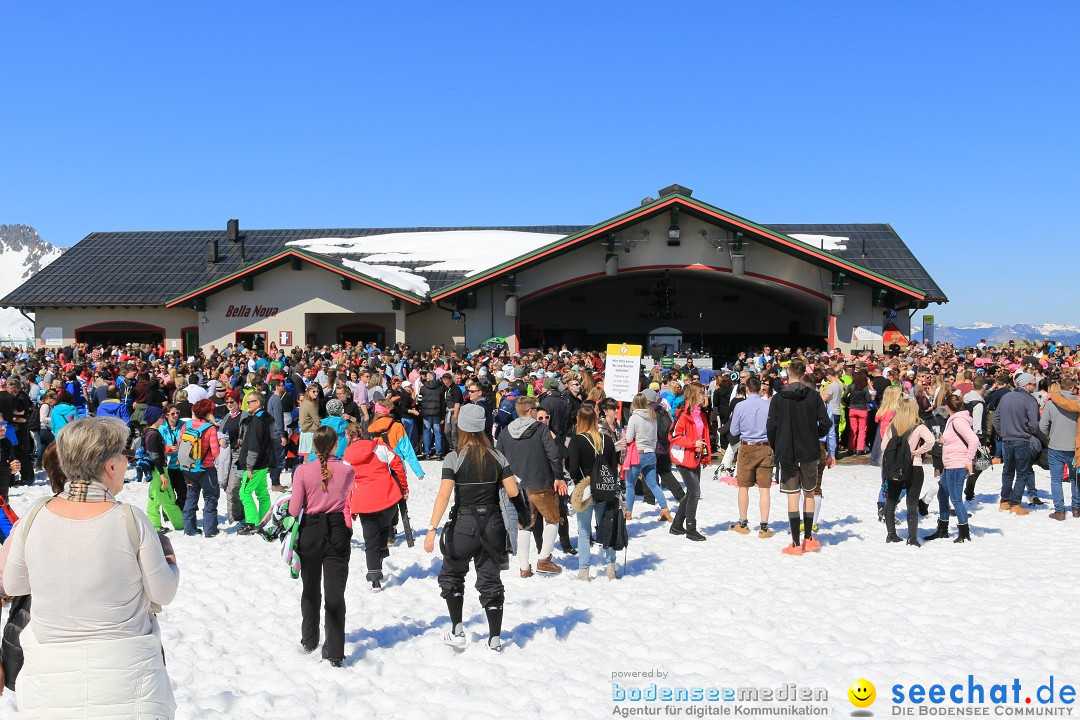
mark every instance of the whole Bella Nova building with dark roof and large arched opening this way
{"type": "Point", "coordinates": [673, 271]}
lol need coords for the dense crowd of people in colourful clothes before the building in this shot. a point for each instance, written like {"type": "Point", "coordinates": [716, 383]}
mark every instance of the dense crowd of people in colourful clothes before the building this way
{"type": "Point", "coordinates": [526, 441]}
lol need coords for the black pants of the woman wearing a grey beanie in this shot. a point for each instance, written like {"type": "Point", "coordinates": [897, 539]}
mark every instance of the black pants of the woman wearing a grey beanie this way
{"type": "Point", "coordinates": [465, 546]}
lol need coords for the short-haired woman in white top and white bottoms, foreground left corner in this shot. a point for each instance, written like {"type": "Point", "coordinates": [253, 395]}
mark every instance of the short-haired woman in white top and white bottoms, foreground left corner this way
{"type": "Point", "coordinates": [107, 647]}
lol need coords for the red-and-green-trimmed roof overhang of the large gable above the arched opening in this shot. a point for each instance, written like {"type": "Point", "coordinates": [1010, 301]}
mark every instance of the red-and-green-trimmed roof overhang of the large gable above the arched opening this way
{"type": "Point", "coordinates": [704, 211]}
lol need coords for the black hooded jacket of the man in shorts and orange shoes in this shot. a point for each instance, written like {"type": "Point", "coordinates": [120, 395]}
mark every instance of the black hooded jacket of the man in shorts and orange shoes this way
{"type": "Point", "coordinates": [798, 419]}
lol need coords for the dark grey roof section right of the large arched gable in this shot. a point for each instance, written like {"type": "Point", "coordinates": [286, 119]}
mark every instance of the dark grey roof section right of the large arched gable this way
{"type": "Point", "coordinates": [885, 253]}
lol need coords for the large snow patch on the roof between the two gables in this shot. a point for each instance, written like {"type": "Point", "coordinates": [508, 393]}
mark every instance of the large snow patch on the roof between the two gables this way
{"type": "Point", "coordinates": [464, 251]}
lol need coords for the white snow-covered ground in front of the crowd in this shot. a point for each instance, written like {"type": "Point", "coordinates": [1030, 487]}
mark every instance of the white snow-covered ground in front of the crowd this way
{"type": "Point", "coordinates": [731, 613]}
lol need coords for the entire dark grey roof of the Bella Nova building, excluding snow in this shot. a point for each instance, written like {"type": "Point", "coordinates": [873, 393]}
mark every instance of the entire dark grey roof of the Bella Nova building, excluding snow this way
{"type": "Point", "coordinates": [150, 268]}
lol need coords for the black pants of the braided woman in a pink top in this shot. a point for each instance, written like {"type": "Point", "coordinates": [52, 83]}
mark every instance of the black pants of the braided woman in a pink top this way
{"type": "Point", "coordinates": [325, 547]}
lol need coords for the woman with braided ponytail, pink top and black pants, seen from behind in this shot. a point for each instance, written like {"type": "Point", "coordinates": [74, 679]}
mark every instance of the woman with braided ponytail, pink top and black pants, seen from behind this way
{"type": "Point", "coordinates": [321, 491]}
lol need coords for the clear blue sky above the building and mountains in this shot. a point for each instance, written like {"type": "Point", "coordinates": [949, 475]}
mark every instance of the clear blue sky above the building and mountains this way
{"type": "Point", "coordinates": [956, 123]}
